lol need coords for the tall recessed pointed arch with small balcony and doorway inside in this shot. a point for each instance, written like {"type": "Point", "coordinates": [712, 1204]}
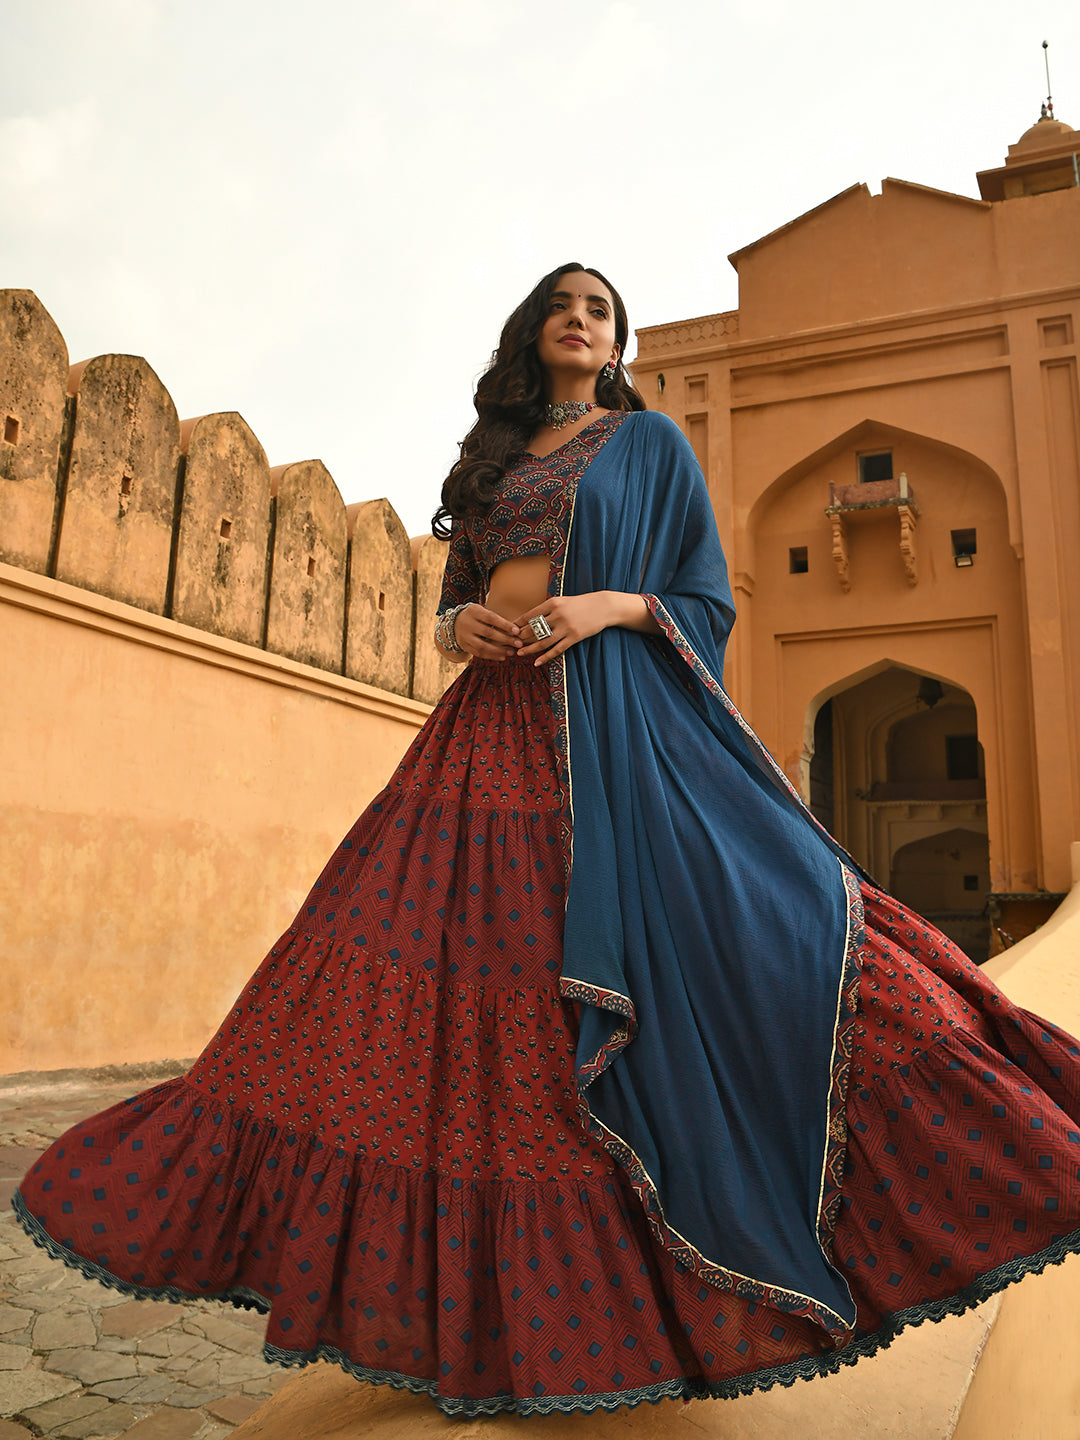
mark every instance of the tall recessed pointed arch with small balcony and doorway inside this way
{"type": "Point", "coordinates": [883, 663]}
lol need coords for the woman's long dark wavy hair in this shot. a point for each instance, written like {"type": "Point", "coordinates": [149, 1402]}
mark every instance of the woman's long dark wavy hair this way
{"type": "Point", "coordinates": [512, 398]}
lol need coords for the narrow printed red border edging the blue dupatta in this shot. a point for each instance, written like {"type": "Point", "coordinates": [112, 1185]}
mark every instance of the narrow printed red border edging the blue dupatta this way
{"type": "Point", "coordinates": [621, 1006]}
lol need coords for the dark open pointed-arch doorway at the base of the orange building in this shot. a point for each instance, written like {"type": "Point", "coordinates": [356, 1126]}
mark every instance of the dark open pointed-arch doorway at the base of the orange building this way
{"type": "Point", "coordinates": [898, 775]}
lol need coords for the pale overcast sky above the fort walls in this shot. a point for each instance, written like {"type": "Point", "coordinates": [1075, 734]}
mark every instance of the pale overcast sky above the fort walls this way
{"type": "Point", "coordinates": [319, 215]}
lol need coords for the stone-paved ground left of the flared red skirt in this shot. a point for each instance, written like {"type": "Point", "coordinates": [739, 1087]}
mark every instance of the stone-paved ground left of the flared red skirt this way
{"type": "Point", "coordinates": [78, 1362]}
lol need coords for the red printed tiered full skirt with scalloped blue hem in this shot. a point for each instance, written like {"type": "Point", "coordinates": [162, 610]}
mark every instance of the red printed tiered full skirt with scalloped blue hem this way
{"type": "Point", "coordinates": [382, 1146]}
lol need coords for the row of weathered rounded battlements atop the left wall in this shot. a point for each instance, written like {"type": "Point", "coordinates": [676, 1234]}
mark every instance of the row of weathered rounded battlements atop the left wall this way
{"type": "Point", "coordinates": [104, 487]}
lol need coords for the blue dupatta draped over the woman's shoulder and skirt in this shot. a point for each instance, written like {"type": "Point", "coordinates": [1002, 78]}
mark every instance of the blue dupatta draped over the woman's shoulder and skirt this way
{"type": "Point", "coordinates": [711, 922]}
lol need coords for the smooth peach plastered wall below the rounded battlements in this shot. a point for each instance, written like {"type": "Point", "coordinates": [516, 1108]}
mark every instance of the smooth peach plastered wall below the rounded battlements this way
{"type": "Point", "coordinates": [168, 797]}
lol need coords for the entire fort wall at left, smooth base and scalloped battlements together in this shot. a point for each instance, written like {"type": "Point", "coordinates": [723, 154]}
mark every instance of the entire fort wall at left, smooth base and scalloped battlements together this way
{"type": "Point", "coordinates": [211, 666]}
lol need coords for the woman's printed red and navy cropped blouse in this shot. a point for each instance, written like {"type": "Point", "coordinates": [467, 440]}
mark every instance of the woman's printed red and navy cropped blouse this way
{"type": "Point", "coordinates": [528, 516]}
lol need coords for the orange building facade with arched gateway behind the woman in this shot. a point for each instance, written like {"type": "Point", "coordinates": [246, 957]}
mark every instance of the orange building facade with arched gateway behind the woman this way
{"type": "Point", "coordinates": [891, 428]}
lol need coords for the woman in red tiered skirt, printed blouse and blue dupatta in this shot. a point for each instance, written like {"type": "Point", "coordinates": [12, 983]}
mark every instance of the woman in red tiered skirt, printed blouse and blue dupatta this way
{"type": "Point", "coordinates": [593, 1071]}
